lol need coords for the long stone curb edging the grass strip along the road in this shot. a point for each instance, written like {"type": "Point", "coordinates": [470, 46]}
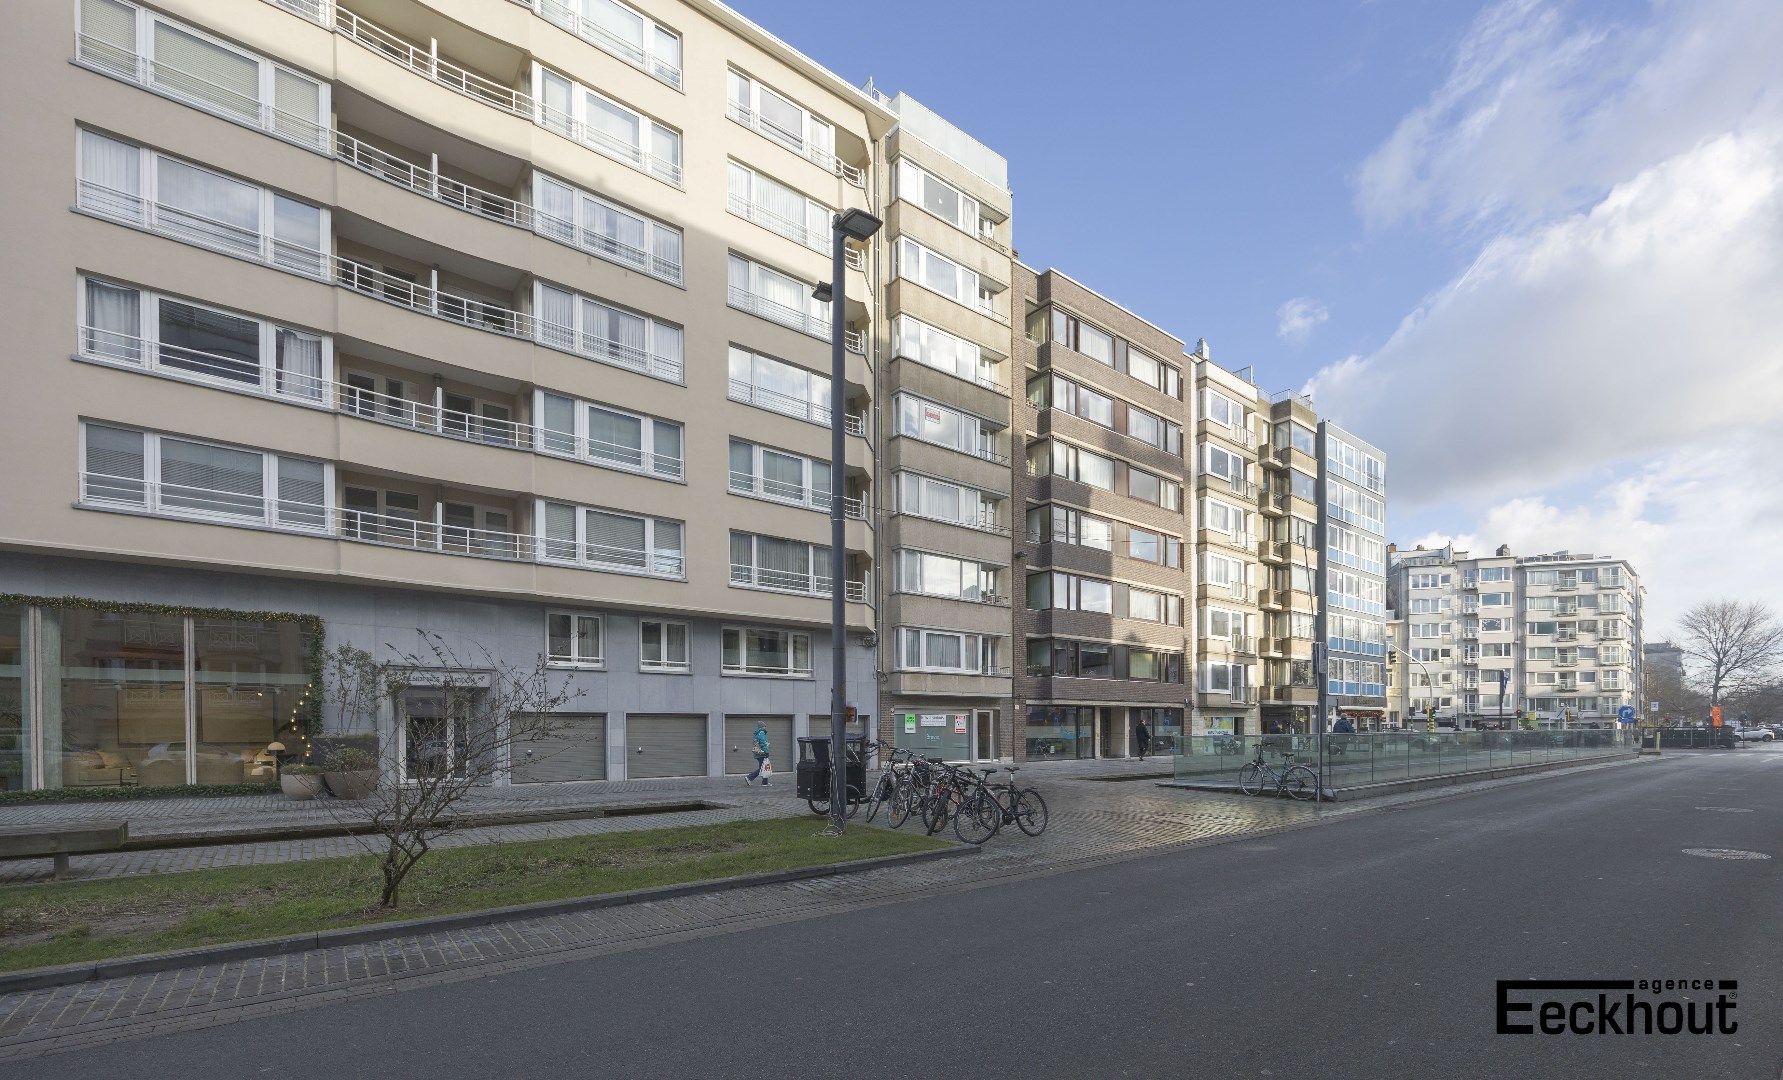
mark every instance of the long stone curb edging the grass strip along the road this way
{"type": "Point", "coordinates": [270, 947]}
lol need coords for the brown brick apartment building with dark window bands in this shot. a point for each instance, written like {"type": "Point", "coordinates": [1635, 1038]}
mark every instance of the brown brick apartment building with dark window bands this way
{"type": "Point", "coordinates": [1108, 532]}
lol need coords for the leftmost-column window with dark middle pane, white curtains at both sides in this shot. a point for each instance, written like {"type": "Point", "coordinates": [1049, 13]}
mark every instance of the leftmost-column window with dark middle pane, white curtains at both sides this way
{"type": "Point", "coordinates": [201, 343]}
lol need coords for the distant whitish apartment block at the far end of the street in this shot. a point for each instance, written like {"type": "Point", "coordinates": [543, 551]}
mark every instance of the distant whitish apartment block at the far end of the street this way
{"type": "Point", "coordinates": [1495, 641]}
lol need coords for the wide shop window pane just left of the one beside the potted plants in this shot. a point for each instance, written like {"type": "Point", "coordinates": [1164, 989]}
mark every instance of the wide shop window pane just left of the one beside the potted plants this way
{"type": "Point", "coordinates": [115, 700]}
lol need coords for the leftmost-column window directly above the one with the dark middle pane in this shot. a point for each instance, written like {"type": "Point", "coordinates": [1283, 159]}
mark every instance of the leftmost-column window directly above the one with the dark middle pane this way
{"type": "Point", "coordinates": [201, 208]}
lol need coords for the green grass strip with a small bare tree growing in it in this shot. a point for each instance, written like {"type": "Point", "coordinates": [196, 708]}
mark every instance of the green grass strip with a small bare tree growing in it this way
{"type": "Point", "coordinates": [72, 922]}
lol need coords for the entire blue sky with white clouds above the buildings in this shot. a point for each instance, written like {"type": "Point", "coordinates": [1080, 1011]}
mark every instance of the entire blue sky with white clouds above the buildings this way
{"type": "Point", "coordinates": [1534, 250]}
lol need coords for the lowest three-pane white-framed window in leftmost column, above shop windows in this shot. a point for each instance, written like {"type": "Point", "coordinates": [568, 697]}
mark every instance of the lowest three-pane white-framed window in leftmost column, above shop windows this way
{"type": "Point", "coordinates": [188, 479]}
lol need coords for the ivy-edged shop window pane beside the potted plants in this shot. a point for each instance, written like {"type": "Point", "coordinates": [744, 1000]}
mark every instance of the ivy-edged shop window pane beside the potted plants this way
{"type": "Point", "coordinates": [247, 683]}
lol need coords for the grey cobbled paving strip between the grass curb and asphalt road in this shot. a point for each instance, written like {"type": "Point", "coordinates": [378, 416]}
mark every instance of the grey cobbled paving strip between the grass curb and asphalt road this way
{"type": "Point", "coordinates": [1092, 822]}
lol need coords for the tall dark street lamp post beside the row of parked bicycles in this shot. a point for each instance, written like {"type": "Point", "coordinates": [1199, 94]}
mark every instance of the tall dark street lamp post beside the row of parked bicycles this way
{"type": "Point", "coordinates": [851, 225]}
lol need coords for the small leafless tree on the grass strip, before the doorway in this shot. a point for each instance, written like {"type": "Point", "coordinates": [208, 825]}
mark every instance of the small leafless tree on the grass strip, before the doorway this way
{"type": "Point", "coordinates": [464, 723]}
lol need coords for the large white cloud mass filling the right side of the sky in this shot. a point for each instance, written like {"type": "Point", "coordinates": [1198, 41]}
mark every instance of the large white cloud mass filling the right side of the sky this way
{"type": "Point", "coordinates": [1609, 373]}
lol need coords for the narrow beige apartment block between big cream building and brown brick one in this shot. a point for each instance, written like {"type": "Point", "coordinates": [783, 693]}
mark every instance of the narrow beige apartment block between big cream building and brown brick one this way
{"type": "Point", "coordinates": [946, 384]}
